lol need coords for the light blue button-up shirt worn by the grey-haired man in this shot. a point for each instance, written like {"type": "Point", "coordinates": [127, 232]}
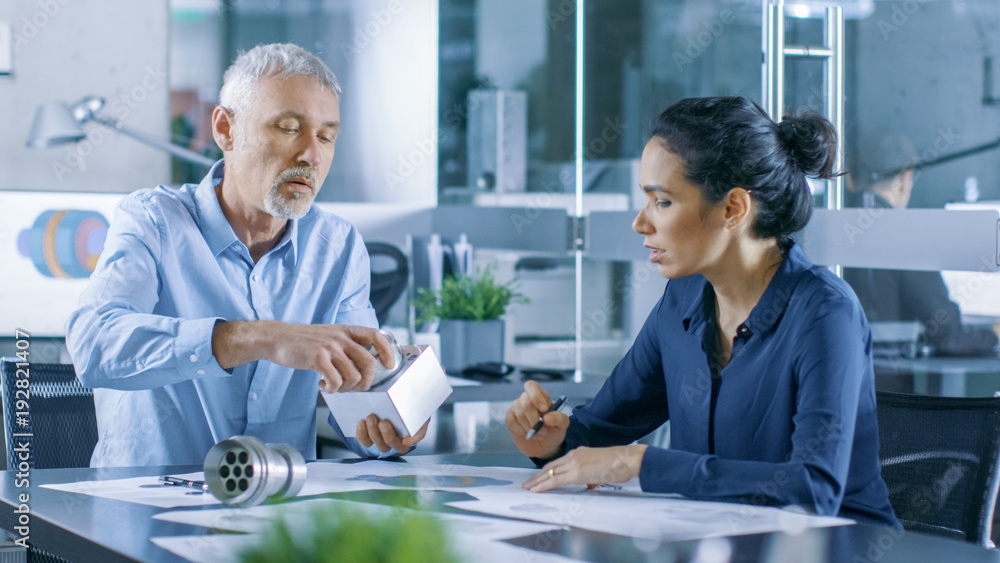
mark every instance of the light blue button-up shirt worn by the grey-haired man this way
{"type": "Point", "coordinates": [171, 268]}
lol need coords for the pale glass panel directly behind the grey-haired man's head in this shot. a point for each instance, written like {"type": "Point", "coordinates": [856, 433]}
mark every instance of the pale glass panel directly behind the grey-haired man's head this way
{"type": "Point", "coordinates": [382, 51]}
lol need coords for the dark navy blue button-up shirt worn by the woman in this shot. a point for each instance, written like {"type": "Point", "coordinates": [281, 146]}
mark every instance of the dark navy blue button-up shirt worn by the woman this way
{"type": "Point", "coordinates": [794, 410]}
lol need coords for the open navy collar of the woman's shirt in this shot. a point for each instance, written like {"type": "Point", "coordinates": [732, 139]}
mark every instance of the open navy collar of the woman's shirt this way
{"type": "Point", "coordinates": [769, 309]}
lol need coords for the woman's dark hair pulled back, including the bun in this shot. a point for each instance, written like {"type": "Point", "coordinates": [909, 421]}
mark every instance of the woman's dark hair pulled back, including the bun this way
{"type": "Point", "coordinates": [731, 142]}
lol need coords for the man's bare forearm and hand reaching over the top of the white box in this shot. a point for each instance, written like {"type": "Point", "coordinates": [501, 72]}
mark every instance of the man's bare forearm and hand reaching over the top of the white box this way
{"type": "Point", "coordinates": [336, 352]}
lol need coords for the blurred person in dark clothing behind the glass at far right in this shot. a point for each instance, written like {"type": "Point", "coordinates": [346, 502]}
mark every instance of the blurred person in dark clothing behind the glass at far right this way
{"type": "Point", "coordinates": [883, 177]}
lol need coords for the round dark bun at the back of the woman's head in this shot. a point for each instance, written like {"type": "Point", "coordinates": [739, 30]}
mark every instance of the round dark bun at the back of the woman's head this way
{"type": "Point", "coordinates": [811, 142]}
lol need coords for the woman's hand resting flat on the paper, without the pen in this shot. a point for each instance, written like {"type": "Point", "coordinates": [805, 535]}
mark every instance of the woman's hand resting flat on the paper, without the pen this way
{"type": "Point", "coordinates": [589, 466]}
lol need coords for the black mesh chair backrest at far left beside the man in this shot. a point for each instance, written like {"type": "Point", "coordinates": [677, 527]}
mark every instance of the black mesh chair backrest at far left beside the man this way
{"type": "Point", "coordinates": [49, 418]}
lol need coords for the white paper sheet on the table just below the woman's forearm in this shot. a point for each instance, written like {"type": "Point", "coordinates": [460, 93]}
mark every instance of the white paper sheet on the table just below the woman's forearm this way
{"type": "Point", "coordinates": [663, 519]}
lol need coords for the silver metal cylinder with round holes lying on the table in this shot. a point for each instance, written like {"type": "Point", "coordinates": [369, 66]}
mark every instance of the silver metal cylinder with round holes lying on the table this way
{"type": "Point", "coordinates": [243, 471]}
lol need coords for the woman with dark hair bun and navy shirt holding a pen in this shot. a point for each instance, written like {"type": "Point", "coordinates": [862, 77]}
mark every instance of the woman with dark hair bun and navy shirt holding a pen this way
{"type": "Point", "coordinates": [760, 360]}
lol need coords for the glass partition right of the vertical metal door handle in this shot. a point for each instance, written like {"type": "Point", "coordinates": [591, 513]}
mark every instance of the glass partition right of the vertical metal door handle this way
{"type": "Point", "coordinates": [921, 125]}
